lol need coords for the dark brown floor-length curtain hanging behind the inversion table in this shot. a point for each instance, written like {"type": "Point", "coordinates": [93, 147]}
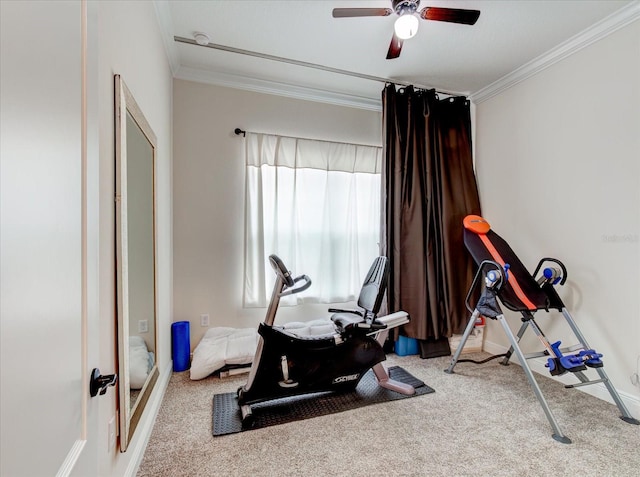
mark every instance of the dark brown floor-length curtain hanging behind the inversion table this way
{"type": "Point", "coordinates": [428, 187]}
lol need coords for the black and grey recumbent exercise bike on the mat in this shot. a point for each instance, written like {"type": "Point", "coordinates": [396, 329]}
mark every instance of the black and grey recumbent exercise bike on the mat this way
{"type": "Point", "coordinates": [287, 364]}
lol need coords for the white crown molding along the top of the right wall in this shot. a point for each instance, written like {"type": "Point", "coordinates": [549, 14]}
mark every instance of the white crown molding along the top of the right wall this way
{"type": "Point", "coordinates": [609, 25]}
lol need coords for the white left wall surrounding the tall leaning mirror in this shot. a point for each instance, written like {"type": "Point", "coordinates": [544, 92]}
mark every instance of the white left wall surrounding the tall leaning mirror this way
{"type": "Point", "coordinates": [130, 45]}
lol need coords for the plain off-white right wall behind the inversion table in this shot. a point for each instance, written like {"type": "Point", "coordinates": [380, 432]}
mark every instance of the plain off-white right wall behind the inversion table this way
{"type": "Point", "coordinates": [558, 166]}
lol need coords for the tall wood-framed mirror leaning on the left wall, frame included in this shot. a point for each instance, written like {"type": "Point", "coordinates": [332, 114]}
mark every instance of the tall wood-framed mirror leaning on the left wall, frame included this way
{"type": "Point", "coordinates": [135, 259]}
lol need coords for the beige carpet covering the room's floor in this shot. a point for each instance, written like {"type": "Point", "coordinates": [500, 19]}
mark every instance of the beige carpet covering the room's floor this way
{"type": "Point", "coordinates": [482, 421]}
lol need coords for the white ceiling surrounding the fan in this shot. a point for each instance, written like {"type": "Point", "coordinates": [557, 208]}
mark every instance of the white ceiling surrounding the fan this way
{"type": "Point", "coordinates": [508, 37]}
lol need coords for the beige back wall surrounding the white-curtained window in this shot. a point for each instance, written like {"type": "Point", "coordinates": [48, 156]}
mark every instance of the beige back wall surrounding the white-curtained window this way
{"type": "Point", "coordinates": [209, 191]}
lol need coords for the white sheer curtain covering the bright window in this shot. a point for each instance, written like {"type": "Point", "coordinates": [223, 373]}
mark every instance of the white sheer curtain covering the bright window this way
{"type": "Point", "coordinates": [315, 204]}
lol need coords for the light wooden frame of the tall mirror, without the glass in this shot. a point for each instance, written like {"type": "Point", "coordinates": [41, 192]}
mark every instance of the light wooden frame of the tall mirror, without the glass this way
{"type": "Point", "coordinates": [130, 415]}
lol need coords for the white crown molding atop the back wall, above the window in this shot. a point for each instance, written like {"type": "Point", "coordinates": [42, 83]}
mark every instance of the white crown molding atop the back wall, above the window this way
{"type": "Point", "coordinates": [280, 89]}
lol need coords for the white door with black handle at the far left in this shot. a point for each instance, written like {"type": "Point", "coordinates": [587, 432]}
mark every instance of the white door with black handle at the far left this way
{"type": "Point", "coordinates": [47, 237]}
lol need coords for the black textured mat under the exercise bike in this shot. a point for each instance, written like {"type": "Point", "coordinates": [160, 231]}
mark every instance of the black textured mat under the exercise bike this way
{"type": "Point", "coordinates": [227, 416]}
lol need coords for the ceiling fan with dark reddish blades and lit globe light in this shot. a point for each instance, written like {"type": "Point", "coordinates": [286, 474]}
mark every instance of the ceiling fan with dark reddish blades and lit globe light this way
{"type": "Point", "coordinates": [406, 25]}
